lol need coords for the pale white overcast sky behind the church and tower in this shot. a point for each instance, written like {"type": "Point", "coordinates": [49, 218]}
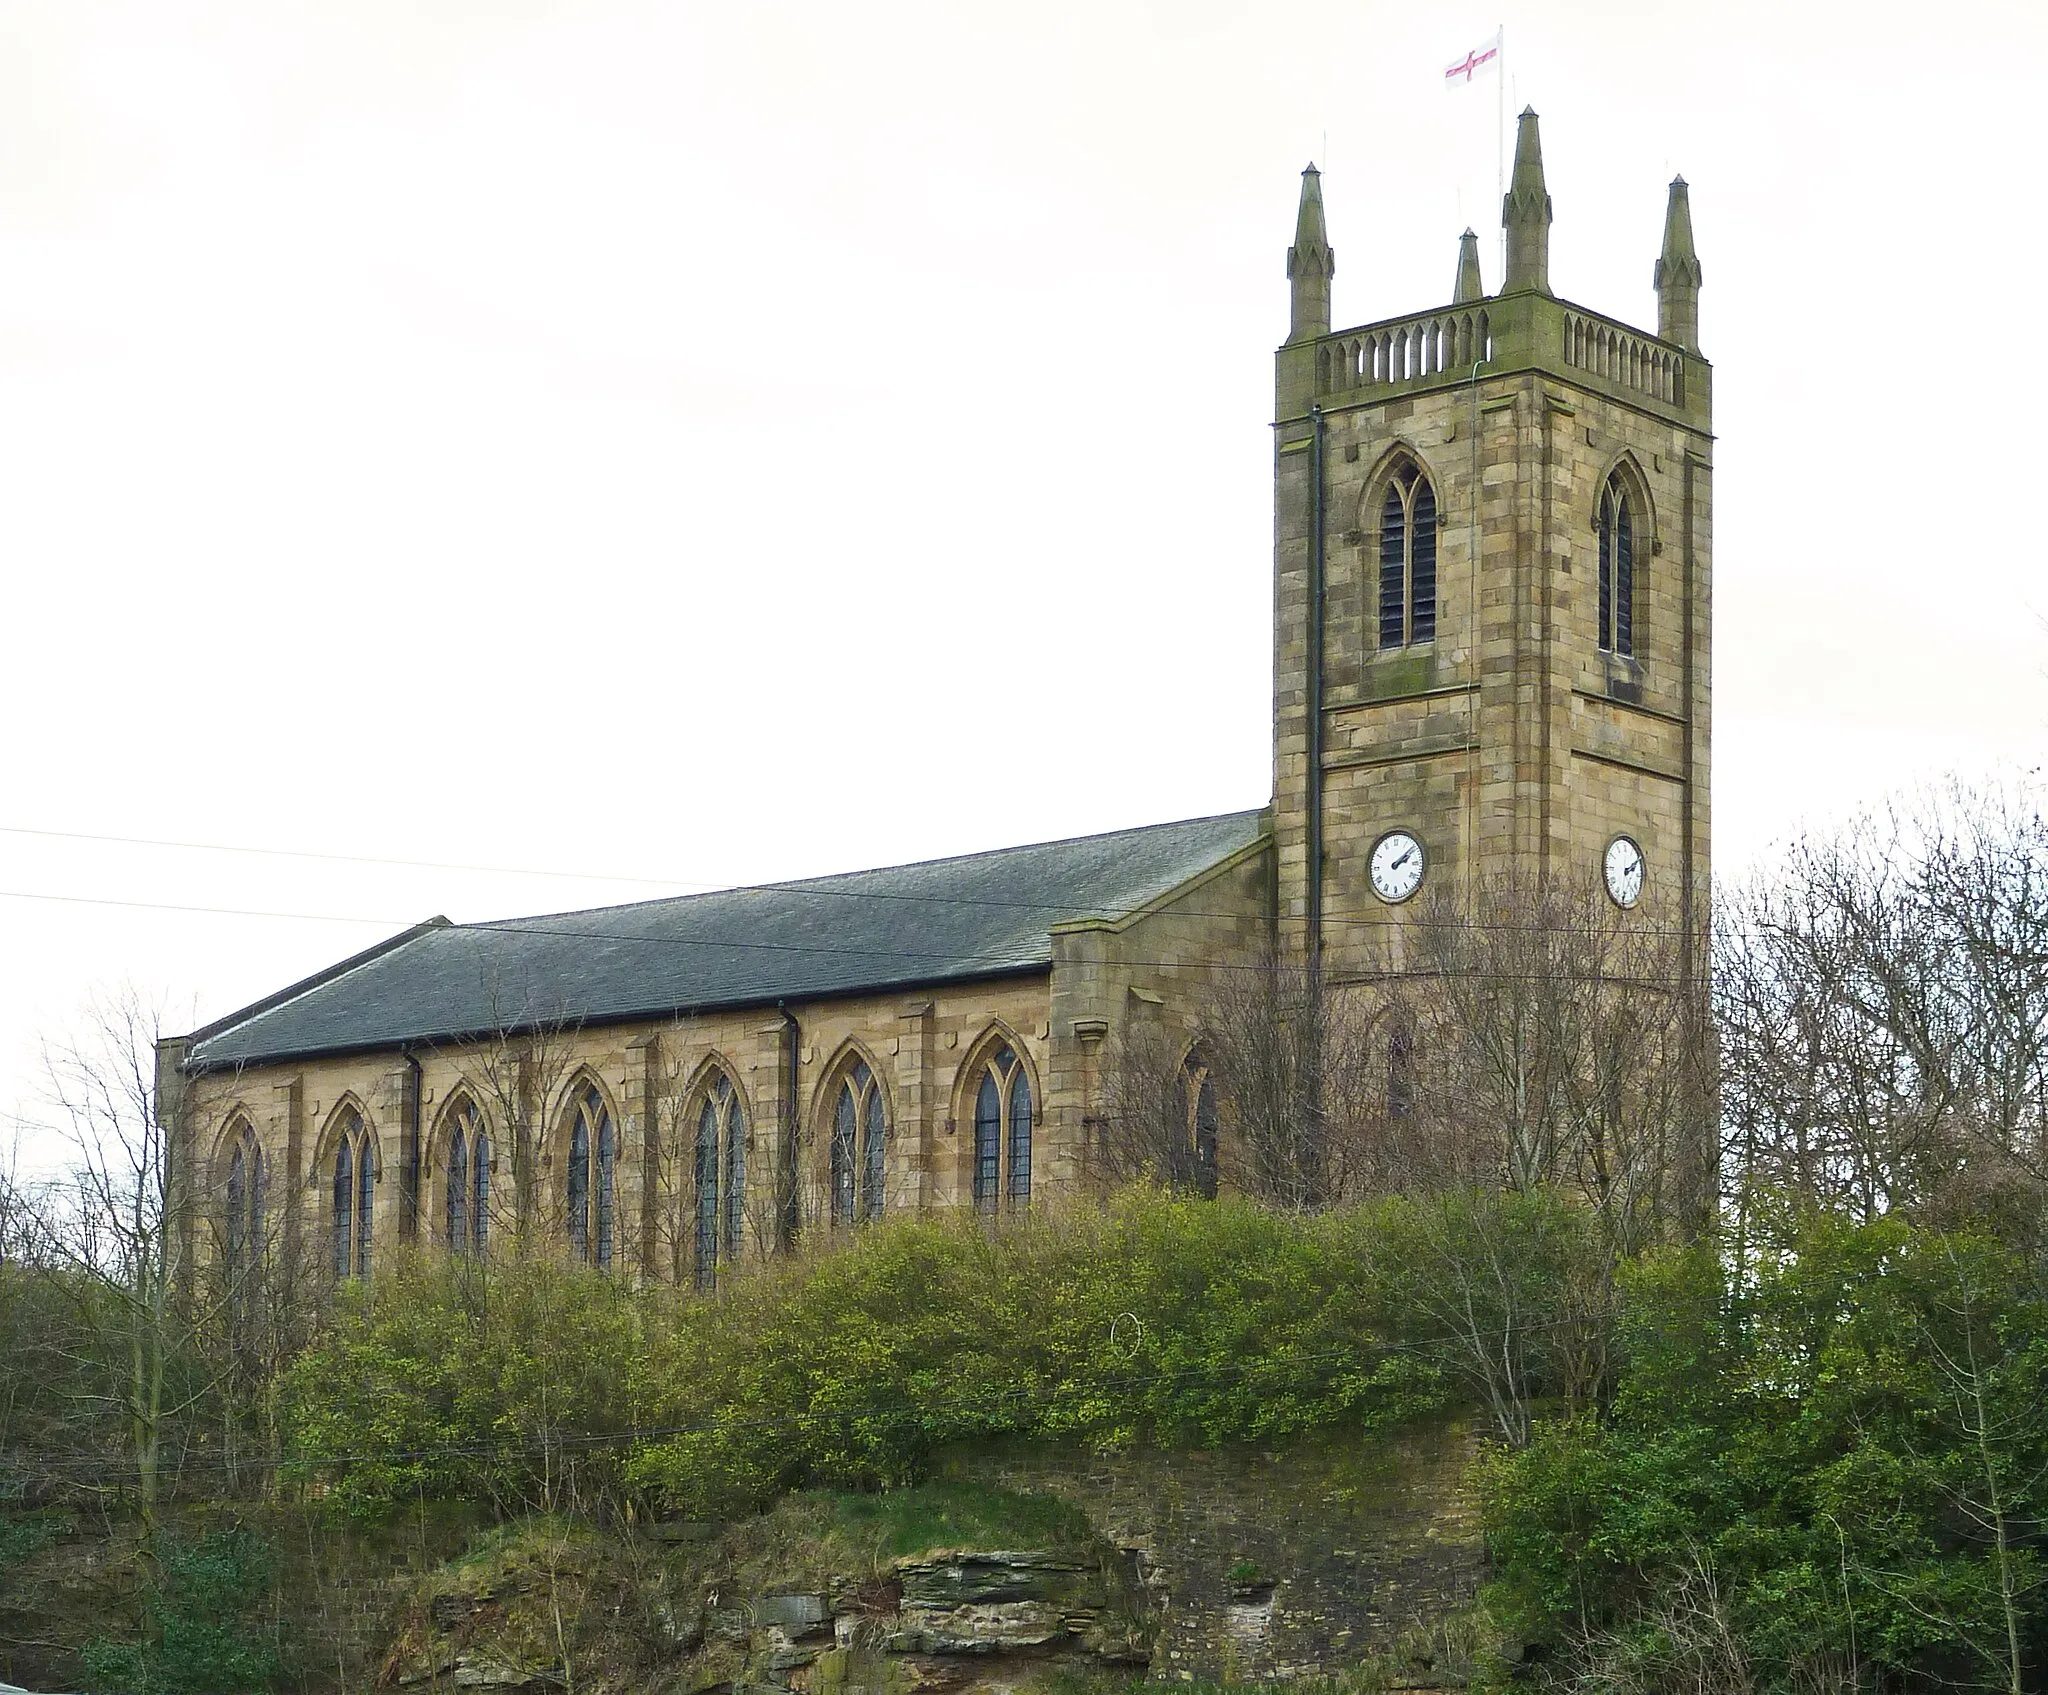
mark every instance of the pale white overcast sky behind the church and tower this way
{"type": "Point", "coordinates": [732, 441]}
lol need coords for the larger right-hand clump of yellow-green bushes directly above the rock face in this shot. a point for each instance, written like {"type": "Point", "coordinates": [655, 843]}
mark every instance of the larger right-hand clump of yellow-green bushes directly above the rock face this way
{"type": "Point", "coordinates": [1154, 1321]}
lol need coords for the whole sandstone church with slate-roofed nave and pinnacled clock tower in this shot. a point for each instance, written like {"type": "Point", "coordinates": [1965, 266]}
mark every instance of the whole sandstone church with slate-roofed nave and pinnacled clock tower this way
{"type": "Point", "coordinates": [1492, 636]}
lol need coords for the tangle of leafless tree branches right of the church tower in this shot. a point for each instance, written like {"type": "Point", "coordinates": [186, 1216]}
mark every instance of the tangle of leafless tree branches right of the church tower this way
{"type": "Point", "coordinates": [1883, 1000]}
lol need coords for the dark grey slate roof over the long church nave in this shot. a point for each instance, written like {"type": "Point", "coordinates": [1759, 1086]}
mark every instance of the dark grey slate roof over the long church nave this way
{"type": "Point", "coordinates": [861, 932]}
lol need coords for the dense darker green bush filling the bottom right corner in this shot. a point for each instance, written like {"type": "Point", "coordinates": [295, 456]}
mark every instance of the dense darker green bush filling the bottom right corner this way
{"type": "Point", "coordinates": [1834, 1471]}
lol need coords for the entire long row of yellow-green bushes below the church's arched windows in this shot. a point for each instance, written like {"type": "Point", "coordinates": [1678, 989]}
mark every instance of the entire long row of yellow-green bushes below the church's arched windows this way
{"type": "Point", "coordinates": [1152, 1321]}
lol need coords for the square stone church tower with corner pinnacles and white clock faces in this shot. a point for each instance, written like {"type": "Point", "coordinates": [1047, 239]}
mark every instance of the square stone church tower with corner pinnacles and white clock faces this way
{"type": "Point", "coordinates": [1494, 584]}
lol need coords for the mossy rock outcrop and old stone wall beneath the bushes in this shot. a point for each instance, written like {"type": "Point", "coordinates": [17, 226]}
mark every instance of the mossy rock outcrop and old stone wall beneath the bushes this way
{"type": "Point", "coordinates": [1215, 1567]}
